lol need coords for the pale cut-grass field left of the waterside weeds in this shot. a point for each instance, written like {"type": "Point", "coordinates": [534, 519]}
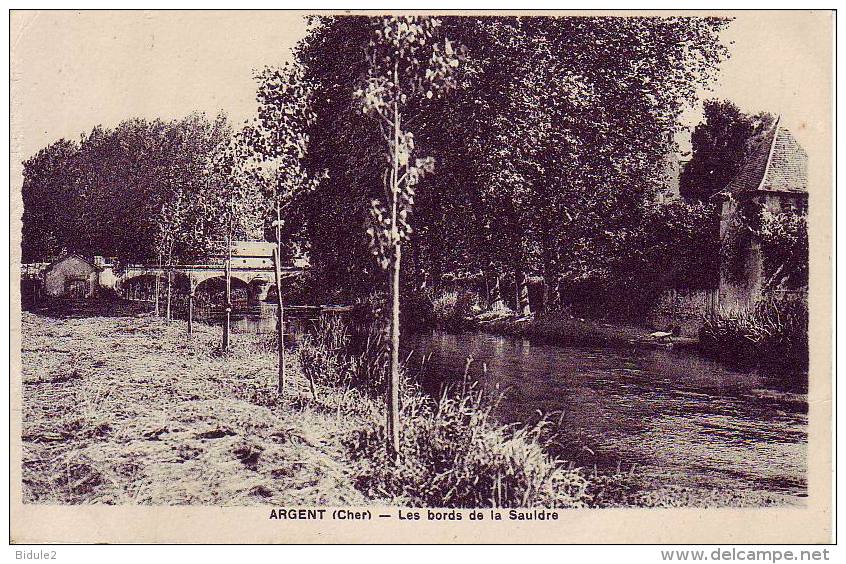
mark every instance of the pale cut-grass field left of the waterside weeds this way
{"type": "Point", "coordinates": [128, 410]}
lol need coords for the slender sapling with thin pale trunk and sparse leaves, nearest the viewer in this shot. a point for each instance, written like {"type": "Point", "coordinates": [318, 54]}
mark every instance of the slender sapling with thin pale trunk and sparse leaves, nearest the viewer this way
{"type": "Point", "coordinates": [408, 63]}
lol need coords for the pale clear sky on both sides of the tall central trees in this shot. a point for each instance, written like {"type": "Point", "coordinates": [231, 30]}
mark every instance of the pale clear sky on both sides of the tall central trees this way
{"type": "Point", "coordinates": [74, 70]}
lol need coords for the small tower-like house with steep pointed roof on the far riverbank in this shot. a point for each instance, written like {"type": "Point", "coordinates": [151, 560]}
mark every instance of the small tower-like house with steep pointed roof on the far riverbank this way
{"type": "Point", "coordinates": [773, 178]}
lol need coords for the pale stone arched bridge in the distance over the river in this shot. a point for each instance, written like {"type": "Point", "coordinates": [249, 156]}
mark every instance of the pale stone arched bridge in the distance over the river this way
{"type": "Point", "coordinates": [258, 279]}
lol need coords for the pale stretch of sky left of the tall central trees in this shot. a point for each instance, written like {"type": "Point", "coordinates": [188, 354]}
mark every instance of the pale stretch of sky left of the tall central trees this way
{"type": "Point", "coordinates": [71, 71]}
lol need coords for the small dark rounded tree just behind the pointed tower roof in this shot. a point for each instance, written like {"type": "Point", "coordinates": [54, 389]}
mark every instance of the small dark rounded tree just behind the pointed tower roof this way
{"type": "Point", "coordinates": [719, 148]}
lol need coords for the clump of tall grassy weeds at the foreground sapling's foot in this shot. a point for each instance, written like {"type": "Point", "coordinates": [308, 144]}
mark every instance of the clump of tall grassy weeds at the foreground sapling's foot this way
{"type": "Point", "coordinates": [454, 456]}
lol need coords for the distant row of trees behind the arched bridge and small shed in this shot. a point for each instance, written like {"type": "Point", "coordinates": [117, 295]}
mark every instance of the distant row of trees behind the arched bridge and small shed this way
{"type": "Point", "coordinates": [144, 191]}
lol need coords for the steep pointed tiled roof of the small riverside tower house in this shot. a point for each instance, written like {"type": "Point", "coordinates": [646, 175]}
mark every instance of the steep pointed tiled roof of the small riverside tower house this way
{"type": "Point", "coordinates": [776, 162]}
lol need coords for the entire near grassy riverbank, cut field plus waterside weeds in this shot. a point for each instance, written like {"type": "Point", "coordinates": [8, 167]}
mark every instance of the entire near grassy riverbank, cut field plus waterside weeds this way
{"type": "Point", "coordinates": [129, 410]}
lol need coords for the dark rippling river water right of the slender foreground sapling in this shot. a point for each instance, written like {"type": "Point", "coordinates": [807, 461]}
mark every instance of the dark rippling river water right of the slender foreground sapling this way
{"type": "Point", "coordinates": [677, 418]}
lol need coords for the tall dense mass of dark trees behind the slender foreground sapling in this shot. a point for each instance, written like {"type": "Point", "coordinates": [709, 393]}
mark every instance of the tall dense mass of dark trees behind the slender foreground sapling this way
{"type": "Point", "coordinates": [547, 151]}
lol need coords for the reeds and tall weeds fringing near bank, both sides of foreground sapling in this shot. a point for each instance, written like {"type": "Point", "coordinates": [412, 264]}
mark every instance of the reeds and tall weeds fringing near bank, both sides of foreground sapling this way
{"type": "Point", "coordinates": [453, 454]}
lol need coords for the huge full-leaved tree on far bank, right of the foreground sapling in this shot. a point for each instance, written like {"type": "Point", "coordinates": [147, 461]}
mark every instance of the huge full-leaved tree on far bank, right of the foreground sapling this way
{"type": "Point", "coordinates": [593, 103]}
